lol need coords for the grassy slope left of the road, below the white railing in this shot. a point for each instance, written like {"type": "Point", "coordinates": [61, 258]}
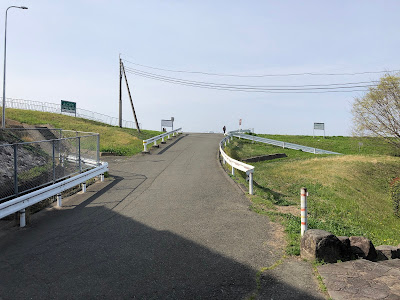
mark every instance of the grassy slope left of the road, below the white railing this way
{"type": "Point", "coordinates": [121, 141]}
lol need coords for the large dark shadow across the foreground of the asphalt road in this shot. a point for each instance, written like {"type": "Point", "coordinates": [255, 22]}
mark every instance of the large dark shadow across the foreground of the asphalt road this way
{"type": "Point", "coordinates": [95, 252]}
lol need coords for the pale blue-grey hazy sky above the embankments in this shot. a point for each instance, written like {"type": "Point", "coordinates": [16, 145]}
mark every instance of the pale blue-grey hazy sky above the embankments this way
{"type": "Point", "coordinates": [69, 50]}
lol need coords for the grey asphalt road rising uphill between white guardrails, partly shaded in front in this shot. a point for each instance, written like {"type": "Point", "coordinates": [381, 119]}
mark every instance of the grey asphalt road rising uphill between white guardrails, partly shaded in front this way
{"type": "Point", "coordinates": [171, 225]}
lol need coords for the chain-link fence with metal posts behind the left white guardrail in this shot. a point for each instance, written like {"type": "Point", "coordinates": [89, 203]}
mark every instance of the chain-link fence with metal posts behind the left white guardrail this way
{"type": "Point", "coordinates": [27, 165]}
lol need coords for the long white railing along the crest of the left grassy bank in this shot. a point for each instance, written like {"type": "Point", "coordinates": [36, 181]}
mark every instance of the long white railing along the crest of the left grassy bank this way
{"type": "Point", "coordinates": [56, 108]}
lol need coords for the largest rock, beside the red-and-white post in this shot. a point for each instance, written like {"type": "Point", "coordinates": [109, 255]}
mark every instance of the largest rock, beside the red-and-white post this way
{"type": "Point", "coordinates": [322, 245]}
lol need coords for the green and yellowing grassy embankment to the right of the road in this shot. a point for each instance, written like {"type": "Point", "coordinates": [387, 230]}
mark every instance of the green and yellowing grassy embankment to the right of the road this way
{"type": "Point", "coordinates": [348, 194]}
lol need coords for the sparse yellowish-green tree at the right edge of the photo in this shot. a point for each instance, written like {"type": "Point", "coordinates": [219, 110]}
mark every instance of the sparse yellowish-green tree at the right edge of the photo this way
{"type": "Point", "coordinates": [377, 113]}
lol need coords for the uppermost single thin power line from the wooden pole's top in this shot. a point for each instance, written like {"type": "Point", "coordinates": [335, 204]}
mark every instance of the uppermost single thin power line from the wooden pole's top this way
{"type": "Point", "coordinates": [262, 75]}
